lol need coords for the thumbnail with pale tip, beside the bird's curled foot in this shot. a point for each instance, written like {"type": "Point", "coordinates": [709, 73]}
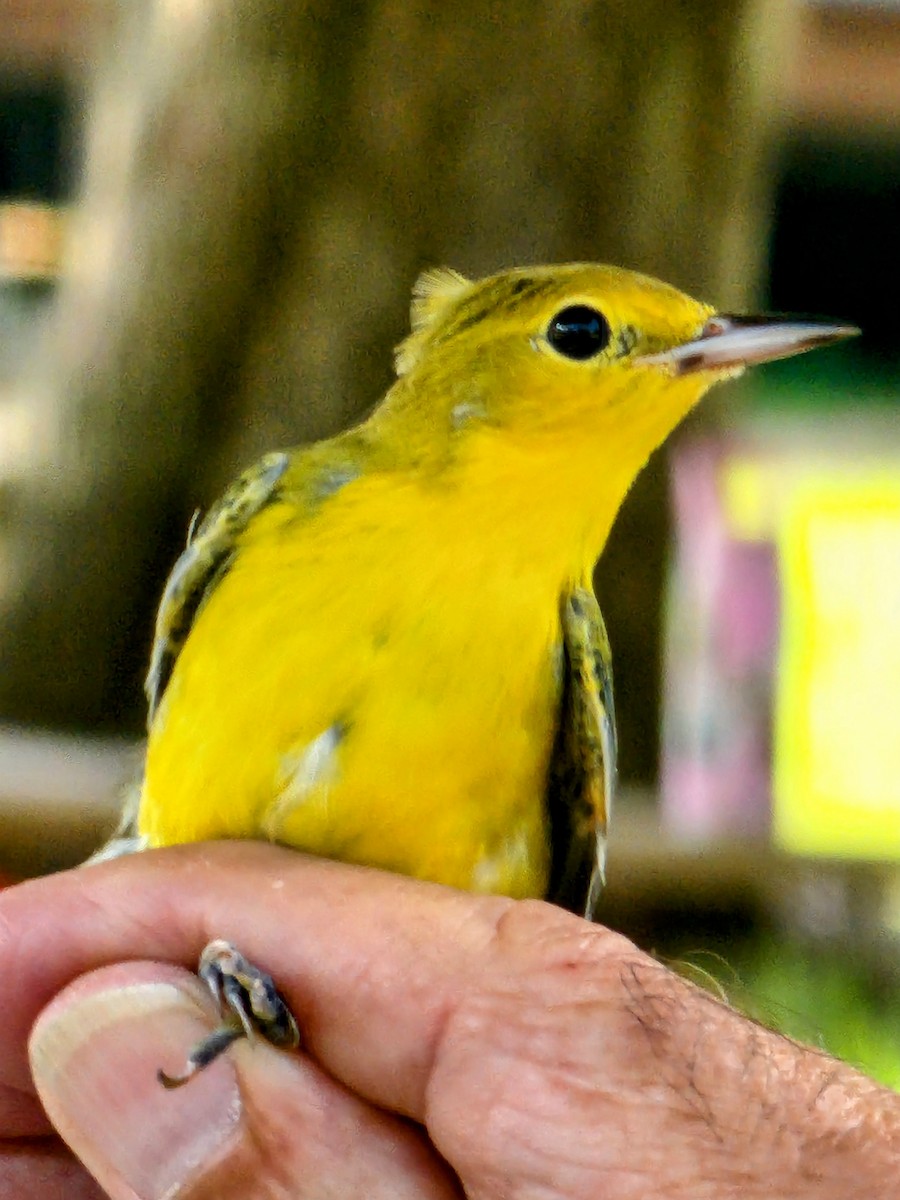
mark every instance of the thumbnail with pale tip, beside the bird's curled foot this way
{"type": "Point", "coordinates": [94, 1063]}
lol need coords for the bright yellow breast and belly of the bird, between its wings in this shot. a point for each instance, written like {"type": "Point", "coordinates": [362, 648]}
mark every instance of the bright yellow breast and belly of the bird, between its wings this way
{"type": "Point", "coordinates": [377, 685]}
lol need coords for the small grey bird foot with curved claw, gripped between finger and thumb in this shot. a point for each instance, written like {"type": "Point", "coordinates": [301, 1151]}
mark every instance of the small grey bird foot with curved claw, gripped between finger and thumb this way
{"type": "Point", "coordinates": [250, 1005]}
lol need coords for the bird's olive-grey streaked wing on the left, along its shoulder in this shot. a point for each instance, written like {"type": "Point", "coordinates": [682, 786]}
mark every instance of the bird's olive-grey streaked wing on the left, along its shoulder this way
{"type": "Point", "coordinates": [203, 563]}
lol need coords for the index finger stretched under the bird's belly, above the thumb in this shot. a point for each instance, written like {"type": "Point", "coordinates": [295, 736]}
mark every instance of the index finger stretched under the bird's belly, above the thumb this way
{"type": "Point", "coordinates": [373, 964]}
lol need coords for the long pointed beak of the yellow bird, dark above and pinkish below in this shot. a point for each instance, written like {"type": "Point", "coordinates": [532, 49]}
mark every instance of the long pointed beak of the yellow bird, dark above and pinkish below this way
{"type": "Point", "coordinates": [729, 344]}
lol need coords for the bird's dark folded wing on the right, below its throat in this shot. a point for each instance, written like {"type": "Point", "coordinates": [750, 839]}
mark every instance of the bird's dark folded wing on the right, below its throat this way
{"type": "Point", "coordinates": [583, 771]}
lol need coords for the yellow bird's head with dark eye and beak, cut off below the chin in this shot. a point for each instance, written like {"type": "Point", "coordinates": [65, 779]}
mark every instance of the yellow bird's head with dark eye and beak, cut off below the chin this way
{"type": "Point", "coordinates": [562, 349]}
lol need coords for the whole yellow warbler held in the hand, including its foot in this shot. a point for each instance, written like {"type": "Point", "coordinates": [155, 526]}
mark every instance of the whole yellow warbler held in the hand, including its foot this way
{"type": "Point", "coordinates": [385, 649]}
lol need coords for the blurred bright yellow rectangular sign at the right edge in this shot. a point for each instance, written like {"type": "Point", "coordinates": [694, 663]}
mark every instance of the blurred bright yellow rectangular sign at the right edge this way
{"type": "Point", "coordinates": [837, 764]}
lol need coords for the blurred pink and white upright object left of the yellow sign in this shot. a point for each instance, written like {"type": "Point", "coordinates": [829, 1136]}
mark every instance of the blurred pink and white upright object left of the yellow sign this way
{"type": "Point", "coordinates": [721, 649]}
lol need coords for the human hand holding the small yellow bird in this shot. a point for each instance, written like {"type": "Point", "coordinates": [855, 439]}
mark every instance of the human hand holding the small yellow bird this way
{"type": "Point", "coordinates": [454, 1046]}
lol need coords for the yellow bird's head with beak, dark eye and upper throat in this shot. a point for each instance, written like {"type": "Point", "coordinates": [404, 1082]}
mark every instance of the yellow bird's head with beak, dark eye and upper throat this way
{"type": "Point", "coordinates": [553, 375]}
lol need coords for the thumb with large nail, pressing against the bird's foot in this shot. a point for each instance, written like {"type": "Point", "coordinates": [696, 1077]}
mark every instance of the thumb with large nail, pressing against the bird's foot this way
{"type": "Point", "coordinates": [256, 1124]}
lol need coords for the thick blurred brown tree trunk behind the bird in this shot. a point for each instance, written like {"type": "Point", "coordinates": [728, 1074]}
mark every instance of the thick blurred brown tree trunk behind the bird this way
{"type": "Point", "coordinates": [263, 183]}
